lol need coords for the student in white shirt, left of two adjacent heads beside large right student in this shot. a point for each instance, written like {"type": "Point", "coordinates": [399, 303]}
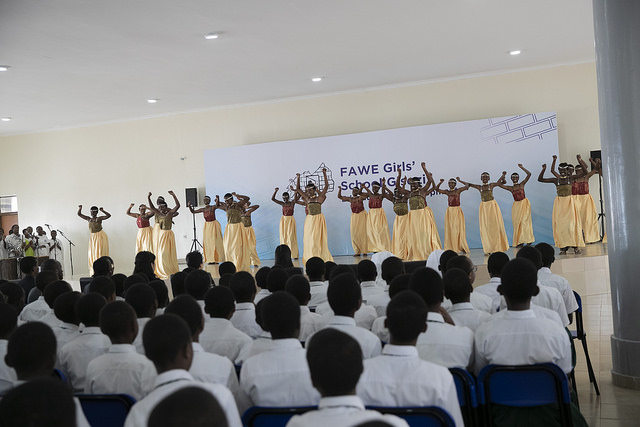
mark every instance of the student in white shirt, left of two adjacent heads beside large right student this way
{"type": "Point", "coordinates": [442, 343]}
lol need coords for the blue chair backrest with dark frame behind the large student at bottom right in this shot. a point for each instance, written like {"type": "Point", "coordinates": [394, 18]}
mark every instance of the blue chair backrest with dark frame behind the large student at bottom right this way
{"type": "Point", "coordinates": [524, 386]}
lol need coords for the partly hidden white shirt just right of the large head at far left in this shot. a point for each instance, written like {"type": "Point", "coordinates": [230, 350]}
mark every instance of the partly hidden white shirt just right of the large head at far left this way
{"type": "Point", "coordinates": [76, 355]}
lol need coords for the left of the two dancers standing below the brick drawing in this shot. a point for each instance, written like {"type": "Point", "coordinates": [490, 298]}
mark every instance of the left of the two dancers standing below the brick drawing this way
{"type": "Point", "coordinates": [492, 233]}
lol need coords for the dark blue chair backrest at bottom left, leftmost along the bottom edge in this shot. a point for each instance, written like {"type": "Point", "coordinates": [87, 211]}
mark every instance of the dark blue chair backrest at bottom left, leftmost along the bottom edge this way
{"type": "Point", "coordinates": [106, 410]}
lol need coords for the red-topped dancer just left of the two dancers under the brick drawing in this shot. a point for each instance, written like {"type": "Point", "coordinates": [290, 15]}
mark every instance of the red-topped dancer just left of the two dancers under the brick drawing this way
{"type": "Point", "coordinates": [455, 235]}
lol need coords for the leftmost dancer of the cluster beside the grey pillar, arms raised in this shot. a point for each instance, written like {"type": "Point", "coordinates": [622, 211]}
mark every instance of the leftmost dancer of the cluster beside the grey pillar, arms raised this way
{"type": "Point", "coordinates": [567, 229]}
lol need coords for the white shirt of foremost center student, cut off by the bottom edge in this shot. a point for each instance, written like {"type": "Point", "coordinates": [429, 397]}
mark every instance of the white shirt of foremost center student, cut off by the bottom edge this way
{"type": "Point", "coordinates": [342, 411]}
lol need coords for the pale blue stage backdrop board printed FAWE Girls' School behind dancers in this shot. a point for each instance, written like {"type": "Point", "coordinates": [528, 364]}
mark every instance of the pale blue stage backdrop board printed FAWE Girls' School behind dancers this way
{"type": "Point", "coordinates": [463, 149]}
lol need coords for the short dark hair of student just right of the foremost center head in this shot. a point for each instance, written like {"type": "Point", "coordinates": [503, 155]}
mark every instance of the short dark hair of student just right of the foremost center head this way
{"type": "Point", "coordinates": [406, 316]}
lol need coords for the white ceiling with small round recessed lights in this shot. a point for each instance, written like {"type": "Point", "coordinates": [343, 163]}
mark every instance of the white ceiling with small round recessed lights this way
{"type": "Point", "coordinates": [82, 62]}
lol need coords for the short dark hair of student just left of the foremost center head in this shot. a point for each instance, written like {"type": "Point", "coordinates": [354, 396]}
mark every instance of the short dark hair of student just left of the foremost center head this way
{"type": "Point", "coordinates": [281, 315]}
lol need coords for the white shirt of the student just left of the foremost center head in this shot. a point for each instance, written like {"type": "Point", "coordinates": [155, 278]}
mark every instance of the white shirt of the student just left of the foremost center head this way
{"type": "Point", "coordinates": [279, 376]}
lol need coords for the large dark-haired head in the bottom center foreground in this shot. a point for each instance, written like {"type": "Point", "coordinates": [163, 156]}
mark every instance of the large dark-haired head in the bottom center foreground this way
{"type": "Point", "coordinates": [335, 362]}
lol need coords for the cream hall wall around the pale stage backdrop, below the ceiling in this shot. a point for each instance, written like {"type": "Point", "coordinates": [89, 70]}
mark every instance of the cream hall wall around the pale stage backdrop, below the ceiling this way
{"type": "Point", "coordinates": [113, 165]}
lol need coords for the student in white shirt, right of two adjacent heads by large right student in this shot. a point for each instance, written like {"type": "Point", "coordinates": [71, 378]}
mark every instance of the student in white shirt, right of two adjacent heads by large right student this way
{"type": "Point", "coordinates": [458, 290]}
